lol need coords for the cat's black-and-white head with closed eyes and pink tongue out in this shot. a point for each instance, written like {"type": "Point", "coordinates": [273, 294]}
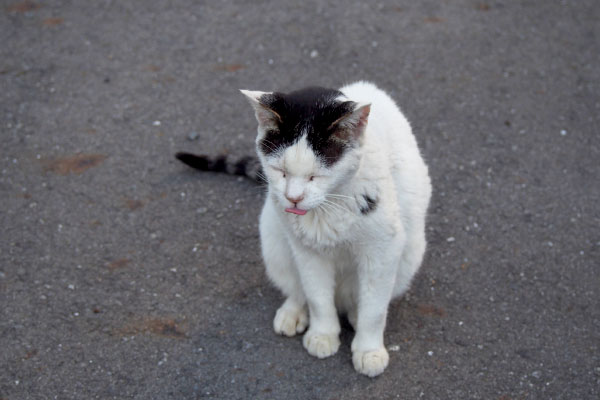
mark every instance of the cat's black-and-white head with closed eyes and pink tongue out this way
{"type": "Point", "coordinates": [309, 142]}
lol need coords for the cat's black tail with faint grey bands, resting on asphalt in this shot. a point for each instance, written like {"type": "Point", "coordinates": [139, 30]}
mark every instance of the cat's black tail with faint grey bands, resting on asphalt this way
{"type": "Point", "coordinates": [248, 167]}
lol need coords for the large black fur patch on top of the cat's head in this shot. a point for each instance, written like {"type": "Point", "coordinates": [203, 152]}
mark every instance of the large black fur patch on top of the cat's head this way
{"type": "Point", "coordinates": [312, 110]}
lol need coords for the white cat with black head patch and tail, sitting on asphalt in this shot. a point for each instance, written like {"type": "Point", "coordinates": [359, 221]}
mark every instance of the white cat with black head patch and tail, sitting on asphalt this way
{"type": "Point", "coordinates": [343, 225]}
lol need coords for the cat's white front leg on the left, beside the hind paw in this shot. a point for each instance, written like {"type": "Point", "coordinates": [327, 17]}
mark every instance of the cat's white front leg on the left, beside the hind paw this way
{"type": "Point", "coordinates": [317, 274]}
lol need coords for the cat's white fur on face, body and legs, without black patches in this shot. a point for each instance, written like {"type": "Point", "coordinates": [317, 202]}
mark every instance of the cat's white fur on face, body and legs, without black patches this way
{"type": "Point", "coordinates": [335, 259]}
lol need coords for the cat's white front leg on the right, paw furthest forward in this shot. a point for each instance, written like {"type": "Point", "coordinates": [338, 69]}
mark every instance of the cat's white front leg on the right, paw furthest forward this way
{"type": "Point", "coordinates": [376, 277]}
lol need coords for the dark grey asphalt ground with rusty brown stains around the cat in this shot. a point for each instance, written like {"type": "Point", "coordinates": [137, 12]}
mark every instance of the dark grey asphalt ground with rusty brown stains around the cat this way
{"type": "Point", "coordinates": [125, 275]}
